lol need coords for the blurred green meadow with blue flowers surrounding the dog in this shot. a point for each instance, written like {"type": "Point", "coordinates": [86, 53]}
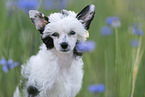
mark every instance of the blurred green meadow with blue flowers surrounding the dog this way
{"type": "Point", "coordinates": [116, 68]}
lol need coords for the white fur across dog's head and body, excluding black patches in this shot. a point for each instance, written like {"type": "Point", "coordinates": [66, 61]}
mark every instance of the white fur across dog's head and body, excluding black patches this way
{"type": "Point", "coordinates": [55, 73]}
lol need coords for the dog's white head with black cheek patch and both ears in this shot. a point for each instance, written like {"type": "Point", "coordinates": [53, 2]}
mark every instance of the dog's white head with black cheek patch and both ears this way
{"type": "Point", "coordinates": [63, 30]}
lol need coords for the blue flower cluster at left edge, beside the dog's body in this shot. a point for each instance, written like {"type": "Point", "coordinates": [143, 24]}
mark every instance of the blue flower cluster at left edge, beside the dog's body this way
{"type": "Point", "coordinates": [8, 65]}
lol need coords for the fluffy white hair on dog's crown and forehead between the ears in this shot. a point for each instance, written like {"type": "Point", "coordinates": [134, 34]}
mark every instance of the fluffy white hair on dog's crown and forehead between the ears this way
{"type": "Point", "coordinates": [65, 24]}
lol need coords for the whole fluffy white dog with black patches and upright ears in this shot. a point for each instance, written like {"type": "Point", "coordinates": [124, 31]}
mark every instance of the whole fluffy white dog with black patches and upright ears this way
{"type": "Point", "coordinates": [56, 71]}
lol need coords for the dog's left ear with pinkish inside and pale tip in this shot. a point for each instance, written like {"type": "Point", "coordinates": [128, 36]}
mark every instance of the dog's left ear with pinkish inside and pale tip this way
{"type": "Point", "coordinates": [38, 19]}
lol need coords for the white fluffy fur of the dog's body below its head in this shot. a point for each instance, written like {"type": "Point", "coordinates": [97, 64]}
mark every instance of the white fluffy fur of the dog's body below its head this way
{"type": "Point", "coordinates": [56, 74]}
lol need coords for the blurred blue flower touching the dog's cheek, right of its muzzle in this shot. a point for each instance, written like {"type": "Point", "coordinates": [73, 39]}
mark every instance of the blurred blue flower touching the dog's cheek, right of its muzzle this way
{"type": "Point", "coordinates": [85, 46]}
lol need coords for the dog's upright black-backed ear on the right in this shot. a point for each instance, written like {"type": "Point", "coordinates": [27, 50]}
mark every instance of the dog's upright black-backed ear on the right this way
{"type": "Point", "coordinates": [86, 15]}
